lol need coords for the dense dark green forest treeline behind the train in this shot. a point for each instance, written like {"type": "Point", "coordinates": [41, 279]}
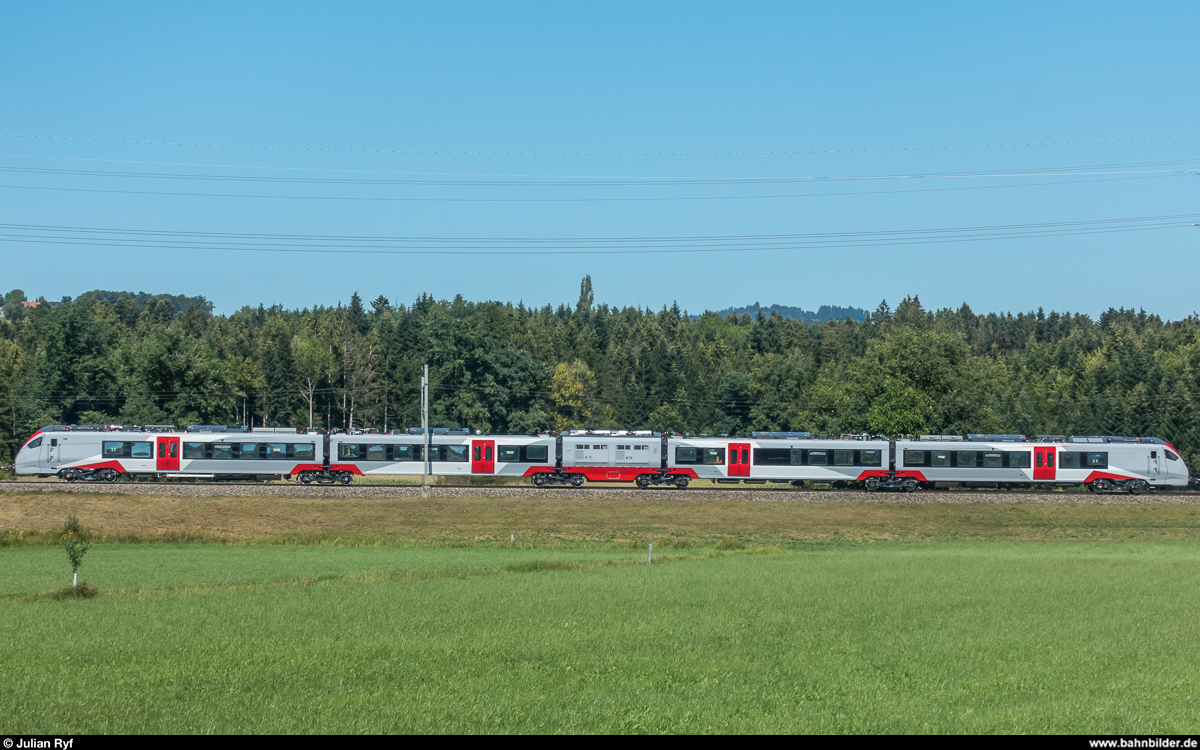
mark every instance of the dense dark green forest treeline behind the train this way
{"type": "Point", "coordinates": [503, 368]}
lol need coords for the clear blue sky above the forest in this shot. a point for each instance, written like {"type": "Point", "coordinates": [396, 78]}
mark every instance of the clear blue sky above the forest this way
{"type": "Point", "coordinates": [603, 79]}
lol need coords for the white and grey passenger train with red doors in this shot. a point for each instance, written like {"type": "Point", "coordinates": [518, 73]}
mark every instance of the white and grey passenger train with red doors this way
{"type": "Point", "coordinates": [109, 453]}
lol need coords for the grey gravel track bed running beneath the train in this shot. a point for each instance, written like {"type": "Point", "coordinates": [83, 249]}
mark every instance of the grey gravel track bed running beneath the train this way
{"type": "Point", "coordinates": [597, 494]}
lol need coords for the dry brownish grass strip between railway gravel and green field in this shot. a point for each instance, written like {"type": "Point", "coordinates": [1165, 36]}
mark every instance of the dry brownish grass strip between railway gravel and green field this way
{"type": "Point", "coordinates": [28, 519]}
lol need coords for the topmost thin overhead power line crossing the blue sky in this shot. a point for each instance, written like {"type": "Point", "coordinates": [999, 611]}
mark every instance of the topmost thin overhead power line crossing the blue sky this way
{"type": "Point", "coordinates": [451, 153]}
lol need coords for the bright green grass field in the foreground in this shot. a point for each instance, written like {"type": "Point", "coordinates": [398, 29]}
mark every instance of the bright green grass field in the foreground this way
{"type": "Point", "coordinates": [818, 637]}
